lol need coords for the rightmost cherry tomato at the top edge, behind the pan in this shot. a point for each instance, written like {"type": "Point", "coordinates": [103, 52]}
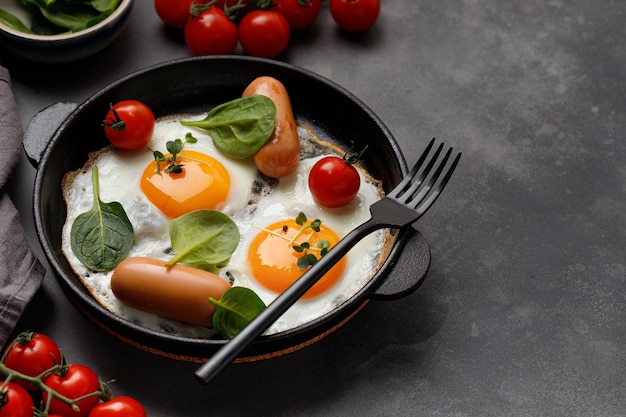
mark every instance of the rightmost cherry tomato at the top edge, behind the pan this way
{"type": "Point", "coordinates": [355, 15]}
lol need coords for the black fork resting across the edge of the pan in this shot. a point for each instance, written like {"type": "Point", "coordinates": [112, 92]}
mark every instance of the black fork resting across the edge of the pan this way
{"type": "Point", "coordinates": [401, 207]}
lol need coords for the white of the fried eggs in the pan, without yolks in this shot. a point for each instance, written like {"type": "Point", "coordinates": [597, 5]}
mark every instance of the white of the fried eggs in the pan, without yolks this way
{"type": "Point", "coordinates": [253, 202]}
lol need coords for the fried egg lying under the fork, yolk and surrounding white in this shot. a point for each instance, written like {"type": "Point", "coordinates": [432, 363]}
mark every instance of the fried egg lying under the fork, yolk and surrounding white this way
{"type": "Point", "coordinates": [268, 264]}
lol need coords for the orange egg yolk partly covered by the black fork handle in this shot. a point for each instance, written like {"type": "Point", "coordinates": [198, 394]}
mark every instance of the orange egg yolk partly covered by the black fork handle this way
{"type": "Point", "coordinates": [274, 262]}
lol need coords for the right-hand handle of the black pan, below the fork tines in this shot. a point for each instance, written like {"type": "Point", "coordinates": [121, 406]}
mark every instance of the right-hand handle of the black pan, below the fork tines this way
{"type": "Point", "coordinates": [408, 271]}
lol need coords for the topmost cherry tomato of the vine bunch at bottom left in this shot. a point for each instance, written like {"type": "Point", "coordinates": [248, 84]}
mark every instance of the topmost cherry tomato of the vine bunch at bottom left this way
{"type": "Point", "coordinates": [32, 355]}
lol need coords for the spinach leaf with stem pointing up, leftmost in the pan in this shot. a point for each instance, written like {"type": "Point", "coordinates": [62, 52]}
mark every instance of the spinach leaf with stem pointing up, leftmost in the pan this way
{"type": "Point", "coordinates": [101, 237]}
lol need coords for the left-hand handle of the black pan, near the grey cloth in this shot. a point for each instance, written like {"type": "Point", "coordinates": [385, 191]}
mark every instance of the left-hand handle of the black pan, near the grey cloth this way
{"type": "Point", "coordinates": [41, 128]}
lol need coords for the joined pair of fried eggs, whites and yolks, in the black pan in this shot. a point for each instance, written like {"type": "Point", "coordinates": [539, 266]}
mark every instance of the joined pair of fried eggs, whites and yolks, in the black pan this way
{"type": "Point", "coordinates": [262, 208]}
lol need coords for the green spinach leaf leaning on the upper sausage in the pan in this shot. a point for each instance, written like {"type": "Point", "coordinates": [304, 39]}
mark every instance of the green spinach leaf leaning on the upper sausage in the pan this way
{"type": "Point", "coordinates": [240, 127]}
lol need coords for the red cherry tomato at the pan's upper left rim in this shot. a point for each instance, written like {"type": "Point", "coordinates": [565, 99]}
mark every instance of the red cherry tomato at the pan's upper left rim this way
{"type": "Point", "coordinates": [129, 124]}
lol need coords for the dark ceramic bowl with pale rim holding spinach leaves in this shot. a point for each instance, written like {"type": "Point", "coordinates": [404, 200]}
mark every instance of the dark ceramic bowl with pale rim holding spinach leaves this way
{"type": "Point", "coordinates": [63, 47]}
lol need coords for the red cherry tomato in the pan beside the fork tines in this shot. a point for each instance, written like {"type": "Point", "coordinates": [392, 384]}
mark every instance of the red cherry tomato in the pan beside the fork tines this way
{"type": "Point", "coordinates": [334, 182]}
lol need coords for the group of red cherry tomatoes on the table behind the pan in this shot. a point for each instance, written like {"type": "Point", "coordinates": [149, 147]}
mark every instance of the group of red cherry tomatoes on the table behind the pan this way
{"type": "Point", "coordinates": [262, 27]}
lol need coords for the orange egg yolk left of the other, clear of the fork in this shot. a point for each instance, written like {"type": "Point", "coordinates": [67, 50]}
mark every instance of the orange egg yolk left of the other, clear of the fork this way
{"type": "Point", "coordinates": [203, 183]}
